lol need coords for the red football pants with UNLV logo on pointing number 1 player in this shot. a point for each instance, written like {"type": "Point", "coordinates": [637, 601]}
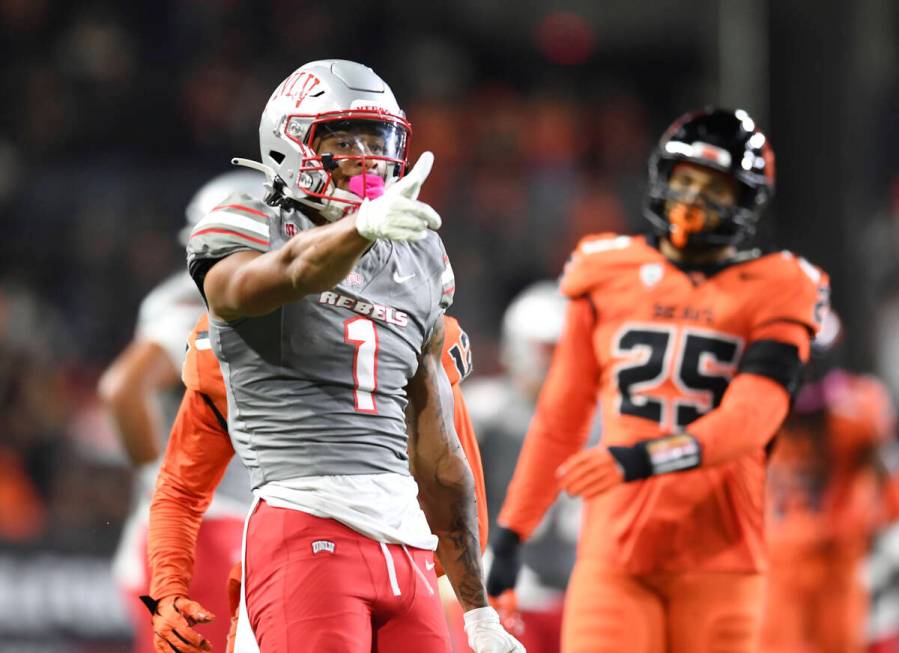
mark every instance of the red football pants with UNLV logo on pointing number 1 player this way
{"type": "Point", "coordinates": [314, 584]}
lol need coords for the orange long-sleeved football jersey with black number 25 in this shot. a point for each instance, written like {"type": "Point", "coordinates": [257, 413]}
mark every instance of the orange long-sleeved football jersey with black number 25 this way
{"type": "Point", "coordinates": [659, 348]}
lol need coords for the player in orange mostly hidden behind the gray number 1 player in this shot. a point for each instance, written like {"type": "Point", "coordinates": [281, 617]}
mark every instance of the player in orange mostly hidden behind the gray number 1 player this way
{"type": "Point", "coordinates": [198, 452]}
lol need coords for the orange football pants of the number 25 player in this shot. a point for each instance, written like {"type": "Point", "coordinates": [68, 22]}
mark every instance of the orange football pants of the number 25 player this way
{"type": "Point", "coordinates": [608, 611]}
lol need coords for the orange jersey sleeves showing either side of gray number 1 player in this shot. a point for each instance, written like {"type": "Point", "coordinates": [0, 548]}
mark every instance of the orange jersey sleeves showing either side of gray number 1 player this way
{"type": "Point", "coordinates": [199, 450]}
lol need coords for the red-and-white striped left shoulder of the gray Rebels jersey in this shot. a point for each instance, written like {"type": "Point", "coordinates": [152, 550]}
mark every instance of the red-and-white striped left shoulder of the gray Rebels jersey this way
{"type": "Point", "coordinates": [238, 223]}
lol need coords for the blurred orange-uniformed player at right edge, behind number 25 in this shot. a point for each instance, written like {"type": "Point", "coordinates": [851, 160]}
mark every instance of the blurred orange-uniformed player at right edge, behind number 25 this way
{"type": "Point", "coordinates": [827, 494]}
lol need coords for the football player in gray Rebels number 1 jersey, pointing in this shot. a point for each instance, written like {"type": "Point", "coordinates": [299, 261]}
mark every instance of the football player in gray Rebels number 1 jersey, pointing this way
{"type": "Point", "coordinates": [326, 310]}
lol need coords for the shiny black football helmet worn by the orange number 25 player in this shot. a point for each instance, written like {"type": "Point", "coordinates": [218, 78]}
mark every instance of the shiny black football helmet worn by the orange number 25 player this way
{"type": "Point", "coordinates": [723, 140]}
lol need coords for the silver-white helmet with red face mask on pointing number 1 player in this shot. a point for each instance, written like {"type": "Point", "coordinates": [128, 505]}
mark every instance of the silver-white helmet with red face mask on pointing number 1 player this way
{"type": "Point", "coordinates": [350, 106]}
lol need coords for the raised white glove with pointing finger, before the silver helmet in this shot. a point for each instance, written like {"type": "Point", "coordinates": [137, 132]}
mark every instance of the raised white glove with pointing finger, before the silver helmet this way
{"type": "Point", "coordinates": [397, 214]}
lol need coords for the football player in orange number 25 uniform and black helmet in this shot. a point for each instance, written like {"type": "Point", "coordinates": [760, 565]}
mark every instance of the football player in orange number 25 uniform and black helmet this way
{"type": "Point", "coordinates": [693, 348]}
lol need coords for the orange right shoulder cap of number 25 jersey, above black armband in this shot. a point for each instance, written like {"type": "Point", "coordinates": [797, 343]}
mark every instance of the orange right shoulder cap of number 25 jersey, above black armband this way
{"type": "Point", "coordinates": [791, 289]}
